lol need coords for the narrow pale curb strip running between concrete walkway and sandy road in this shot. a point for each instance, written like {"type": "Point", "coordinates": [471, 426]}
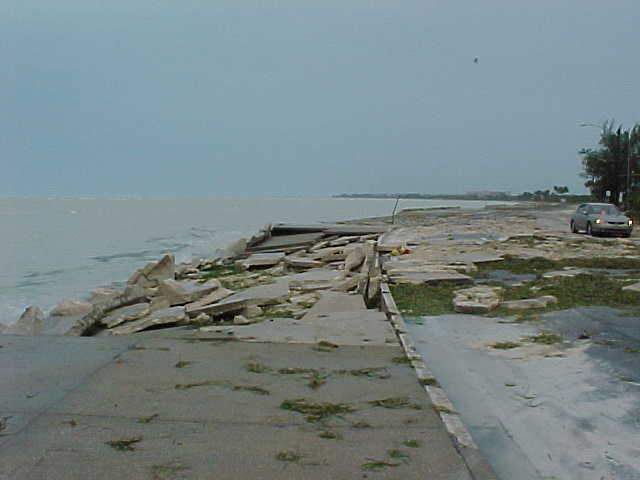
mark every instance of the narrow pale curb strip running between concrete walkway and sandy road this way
{"type": "Point", "coordinates": [478, 467]}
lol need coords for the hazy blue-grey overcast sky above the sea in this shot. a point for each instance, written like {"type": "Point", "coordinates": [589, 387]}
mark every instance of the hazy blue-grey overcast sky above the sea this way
{"type": "Point", "coordinates": [248, 97]}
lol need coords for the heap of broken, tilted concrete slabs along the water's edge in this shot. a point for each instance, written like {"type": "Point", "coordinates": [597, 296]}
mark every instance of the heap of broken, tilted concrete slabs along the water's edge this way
{"type": "Point", "coordinates": [242, 289]}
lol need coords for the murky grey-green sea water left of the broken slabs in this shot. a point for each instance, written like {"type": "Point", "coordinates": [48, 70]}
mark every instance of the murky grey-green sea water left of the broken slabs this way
{"type": "Point", "coordinates": [57, 248]}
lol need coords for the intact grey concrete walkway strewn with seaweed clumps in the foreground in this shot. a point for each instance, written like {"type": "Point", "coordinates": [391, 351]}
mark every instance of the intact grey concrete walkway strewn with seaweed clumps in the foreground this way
{"type": "Point", "coordinates": [186, 404]}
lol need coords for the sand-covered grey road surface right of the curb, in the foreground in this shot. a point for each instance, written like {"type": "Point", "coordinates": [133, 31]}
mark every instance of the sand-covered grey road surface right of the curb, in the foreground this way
{"type": "Point", "coordinates": [567, 411]}
